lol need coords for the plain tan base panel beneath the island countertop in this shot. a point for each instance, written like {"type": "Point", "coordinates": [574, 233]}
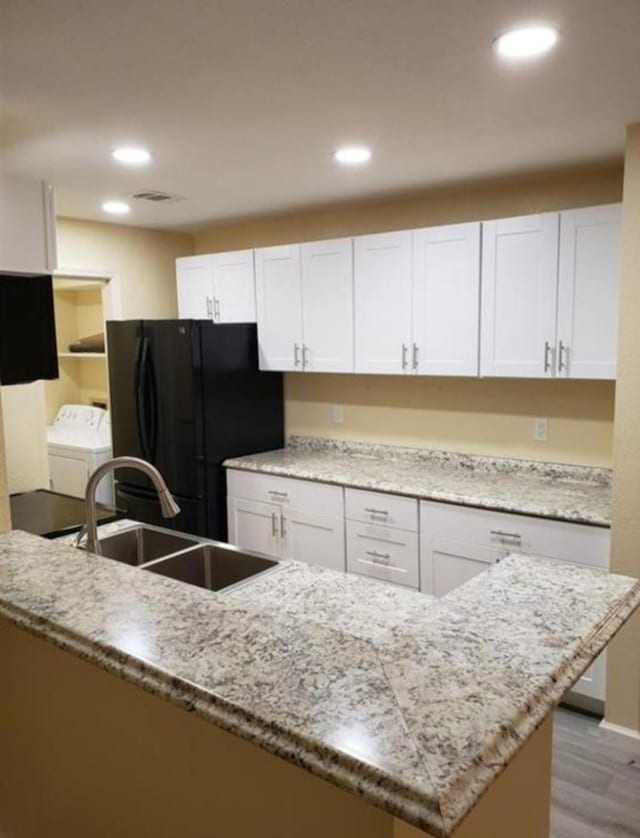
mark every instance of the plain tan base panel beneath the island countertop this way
{"type": "Point", "coordinates": [85, 752]}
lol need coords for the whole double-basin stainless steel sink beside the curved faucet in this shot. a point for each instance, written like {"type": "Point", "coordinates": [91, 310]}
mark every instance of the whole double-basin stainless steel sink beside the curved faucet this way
{"type": "Point", "coordinates": [196, 561]}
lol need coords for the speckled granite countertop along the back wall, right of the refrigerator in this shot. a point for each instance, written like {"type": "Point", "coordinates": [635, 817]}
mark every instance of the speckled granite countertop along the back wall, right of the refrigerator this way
{"type": "Point", "coordinates": [550, 490]}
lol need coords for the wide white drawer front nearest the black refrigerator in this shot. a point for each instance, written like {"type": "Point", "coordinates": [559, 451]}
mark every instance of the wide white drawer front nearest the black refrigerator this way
{"type": "Point", "coordinates": [301, 494]}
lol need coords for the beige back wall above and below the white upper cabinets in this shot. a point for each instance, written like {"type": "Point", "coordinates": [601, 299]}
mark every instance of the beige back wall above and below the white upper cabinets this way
{"type": "Point", "coordinates": [485, 416]}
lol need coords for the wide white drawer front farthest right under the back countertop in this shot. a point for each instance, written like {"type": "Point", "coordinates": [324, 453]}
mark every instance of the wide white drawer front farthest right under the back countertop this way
{"type": "Point", "coordinates": [578, 543]}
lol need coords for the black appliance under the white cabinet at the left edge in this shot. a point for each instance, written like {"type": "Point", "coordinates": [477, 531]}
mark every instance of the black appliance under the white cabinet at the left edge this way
{"type": "Point", "coordinates": [28, 349]}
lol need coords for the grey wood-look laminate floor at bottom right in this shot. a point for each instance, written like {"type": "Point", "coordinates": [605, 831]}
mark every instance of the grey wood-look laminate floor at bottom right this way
{"type": "Point", "coordinates": [596, 781]}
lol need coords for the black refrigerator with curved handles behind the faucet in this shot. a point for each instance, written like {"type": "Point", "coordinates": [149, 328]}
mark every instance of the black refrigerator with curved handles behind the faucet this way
{"type": "Point", "coordinates": [185, 395]}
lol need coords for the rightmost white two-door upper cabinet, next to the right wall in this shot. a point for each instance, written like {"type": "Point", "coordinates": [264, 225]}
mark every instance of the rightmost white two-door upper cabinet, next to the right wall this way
{"type": "Point", "coordinates": [550, 294]}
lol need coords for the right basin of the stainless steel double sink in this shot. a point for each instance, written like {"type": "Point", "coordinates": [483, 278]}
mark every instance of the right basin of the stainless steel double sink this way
{"type": "Point", "coordinates": [213, 566]}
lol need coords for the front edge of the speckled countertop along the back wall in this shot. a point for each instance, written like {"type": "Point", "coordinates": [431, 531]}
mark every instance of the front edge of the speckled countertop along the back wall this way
{"type": "Point", "coordinates": [441, 497]}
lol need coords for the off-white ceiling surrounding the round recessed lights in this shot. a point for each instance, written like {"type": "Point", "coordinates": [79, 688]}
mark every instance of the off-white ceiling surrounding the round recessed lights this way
{"type": "Point", "coordinates": [243, 101]}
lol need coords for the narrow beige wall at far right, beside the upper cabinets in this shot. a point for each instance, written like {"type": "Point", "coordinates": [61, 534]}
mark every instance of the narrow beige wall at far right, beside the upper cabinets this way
{"type": "Point", "coordinates": [623, 706]}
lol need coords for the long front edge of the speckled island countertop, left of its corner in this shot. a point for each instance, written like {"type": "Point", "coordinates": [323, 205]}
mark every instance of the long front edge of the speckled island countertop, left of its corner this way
{"type": "Point", "coordinates": [347, 773]}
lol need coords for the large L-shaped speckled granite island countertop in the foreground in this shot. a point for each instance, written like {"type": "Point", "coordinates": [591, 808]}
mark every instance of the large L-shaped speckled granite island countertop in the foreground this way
{"type": "Point", "coordinates": [412, 703]}
